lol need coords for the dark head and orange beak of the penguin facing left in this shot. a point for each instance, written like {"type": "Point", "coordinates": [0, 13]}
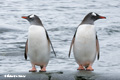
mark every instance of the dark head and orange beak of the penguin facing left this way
{"type": "Point", "coordinates": [33, 19]}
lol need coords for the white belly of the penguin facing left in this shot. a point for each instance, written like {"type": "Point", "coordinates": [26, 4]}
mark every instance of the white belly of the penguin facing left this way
{"type": "Point", "coordinates": [38, 46]}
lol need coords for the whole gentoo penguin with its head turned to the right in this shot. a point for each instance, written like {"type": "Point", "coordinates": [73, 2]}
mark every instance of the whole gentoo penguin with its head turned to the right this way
{"type": "Point", "coordinates": [85, 42]}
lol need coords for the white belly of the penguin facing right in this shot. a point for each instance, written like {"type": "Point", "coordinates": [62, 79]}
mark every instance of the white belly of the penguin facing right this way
{"type": "Point", "coordinates": [84, 46]}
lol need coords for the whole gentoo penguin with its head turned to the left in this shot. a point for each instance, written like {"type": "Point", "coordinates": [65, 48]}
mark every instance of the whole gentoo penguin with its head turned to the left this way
{"type": "Point", "coordinates": [38, 44]}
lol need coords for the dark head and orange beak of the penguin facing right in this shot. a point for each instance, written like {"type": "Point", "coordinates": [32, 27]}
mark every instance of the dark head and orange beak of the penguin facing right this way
{"type": "Point", "coordinates": [91, 17]}
